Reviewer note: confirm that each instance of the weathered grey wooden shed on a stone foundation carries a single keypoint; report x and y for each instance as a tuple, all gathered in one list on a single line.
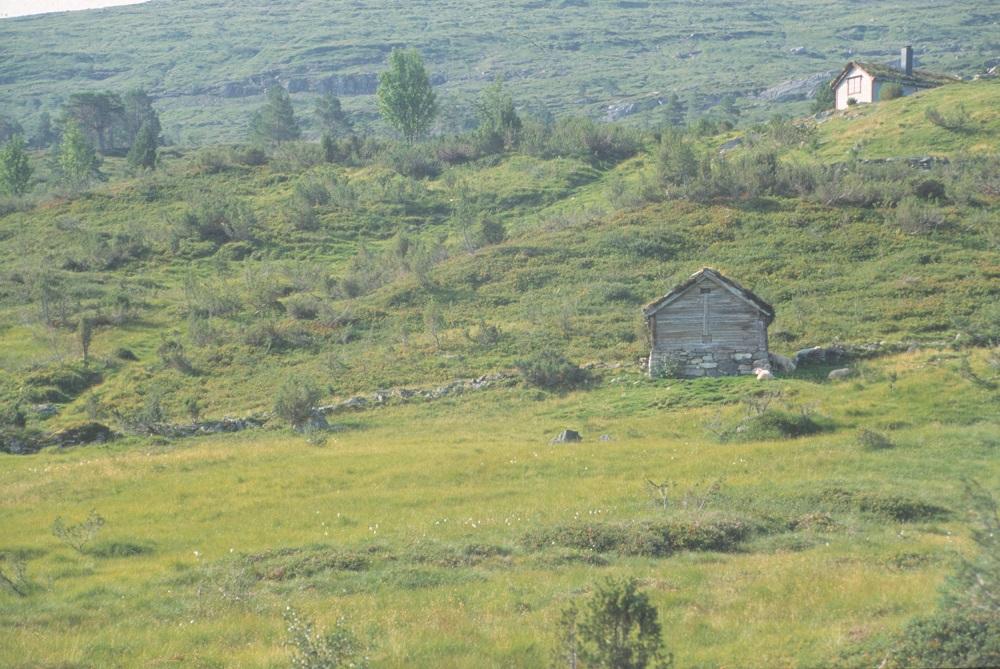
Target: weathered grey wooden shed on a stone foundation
[(709, 325)]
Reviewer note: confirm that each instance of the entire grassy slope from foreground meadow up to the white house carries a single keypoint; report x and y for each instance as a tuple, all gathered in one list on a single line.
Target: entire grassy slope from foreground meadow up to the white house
[(807, 520)]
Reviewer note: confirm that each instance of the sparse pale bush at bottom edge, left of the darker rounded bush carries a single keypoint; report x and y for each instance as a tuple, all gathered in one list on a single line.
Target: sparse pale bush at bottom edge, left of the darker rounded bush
[(314, 649)]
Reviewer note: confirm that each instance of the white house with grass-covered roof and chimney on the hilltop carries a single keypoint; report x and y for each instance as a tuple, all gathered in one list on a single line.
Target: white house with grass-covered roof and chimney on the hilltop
[(865, 82)]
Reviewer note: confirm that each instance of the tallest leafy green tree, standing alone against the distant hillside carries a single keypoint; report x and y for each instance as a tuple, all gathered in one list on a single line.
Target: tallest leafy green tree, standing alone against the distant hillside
[(405, 97)]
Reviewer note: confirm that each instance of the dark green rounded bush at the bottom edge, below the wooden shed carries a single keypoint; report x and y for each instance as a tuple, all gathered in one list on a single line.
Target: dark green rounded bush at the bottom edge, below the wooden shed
[(618, 628)]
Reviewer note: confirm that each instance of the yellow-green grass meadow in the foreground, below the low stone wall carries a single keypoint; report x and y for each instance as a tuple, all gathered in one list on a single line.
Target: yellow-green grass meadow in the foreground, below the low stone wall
[(451, 531)]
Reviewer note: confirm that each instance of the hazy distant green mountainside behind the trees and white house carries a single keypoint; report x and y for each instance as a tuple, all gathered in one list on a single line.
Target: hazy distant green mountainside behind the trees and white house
[(207, 61)]
